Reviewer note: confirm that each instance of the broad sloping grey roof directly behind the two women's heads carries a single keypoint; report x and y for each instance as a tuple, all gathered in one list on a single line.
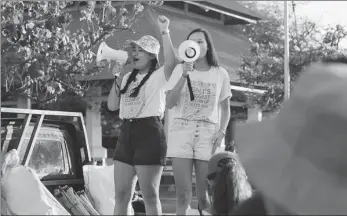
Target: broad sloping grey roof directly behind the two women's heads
[(229, 46)]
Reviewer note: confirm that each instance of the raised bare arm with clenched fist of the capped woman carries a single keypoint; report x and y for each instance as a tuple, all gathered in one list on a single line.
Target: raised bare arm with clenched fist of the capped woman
[(171, 59)]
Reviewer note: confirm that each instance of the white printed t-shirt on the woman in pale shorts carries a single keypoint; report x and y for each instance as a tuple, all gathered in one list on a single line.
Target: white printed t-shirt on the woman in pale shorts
[(209, 88)]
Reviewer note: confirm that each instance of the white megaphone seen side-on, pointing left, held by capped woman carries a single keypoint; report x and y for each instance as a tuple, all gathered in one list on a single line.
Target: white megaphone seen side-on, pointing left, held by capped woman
[(107, 53)]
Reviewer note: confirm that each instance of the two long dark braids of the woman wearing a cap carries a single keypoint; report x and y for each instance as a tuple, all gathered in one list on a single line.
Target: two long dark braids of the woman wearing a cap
[(133, 75)]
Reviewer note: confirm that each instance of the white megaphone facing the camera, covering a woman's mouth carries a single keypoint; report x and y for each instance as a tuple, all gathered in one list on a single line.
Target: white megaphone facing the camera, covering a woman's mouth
[(189, 51)]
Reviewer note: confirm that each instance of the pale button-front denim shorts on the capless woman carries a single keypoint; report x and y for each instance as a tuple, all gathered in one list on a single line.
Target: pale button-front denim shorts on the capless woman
[(191, 139)]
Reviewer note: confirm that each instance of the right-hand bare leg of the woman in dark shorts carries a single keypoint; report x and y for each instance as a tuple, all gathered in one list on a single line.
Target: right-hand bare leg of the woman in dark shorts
[(149, 180)]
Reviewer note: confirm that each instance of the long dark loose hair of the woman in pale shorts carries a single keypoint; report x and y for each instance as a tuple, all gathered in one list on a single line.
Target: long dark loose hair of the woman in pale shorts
[(211, 55)]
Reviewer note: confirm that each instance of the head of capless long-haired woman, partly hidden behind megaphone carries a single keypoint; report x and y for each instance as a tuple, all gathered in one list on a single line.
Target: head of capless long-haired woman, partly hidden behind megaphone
[(207, 50)]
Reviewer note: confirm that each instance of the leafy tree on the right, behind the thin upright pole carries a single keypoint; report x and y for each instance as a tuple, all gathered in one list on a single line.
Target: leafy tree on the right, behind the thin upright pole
[(264, 65)]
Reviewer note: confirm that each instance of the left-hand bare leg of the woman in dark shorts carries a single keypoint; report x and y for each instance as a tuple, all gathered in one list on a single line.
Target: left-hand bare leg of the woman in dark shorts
[(125, 180)]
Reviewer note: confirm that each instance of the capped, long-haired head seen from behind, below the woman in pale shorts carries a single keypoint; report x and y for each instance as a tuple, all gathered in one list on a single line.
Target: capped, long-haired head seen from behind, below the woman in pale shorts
[(227, 182)]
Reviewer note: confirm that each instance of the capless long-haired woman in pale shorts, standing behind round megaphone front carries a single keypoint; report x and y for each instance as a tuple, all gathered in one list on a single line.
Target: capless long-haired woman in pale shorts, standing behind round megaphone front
[(198, 95)]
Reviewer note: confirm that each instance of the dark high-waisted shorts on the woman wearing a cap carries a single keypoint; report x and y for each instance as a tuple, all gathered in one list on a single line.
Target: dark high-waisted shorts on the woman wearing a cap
[(142, 141)]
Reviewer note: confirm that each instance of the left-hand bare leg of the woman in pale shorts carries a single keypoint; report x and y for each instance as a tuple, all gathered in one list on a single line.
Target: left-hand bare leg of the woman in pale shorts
[(182, 169)]
